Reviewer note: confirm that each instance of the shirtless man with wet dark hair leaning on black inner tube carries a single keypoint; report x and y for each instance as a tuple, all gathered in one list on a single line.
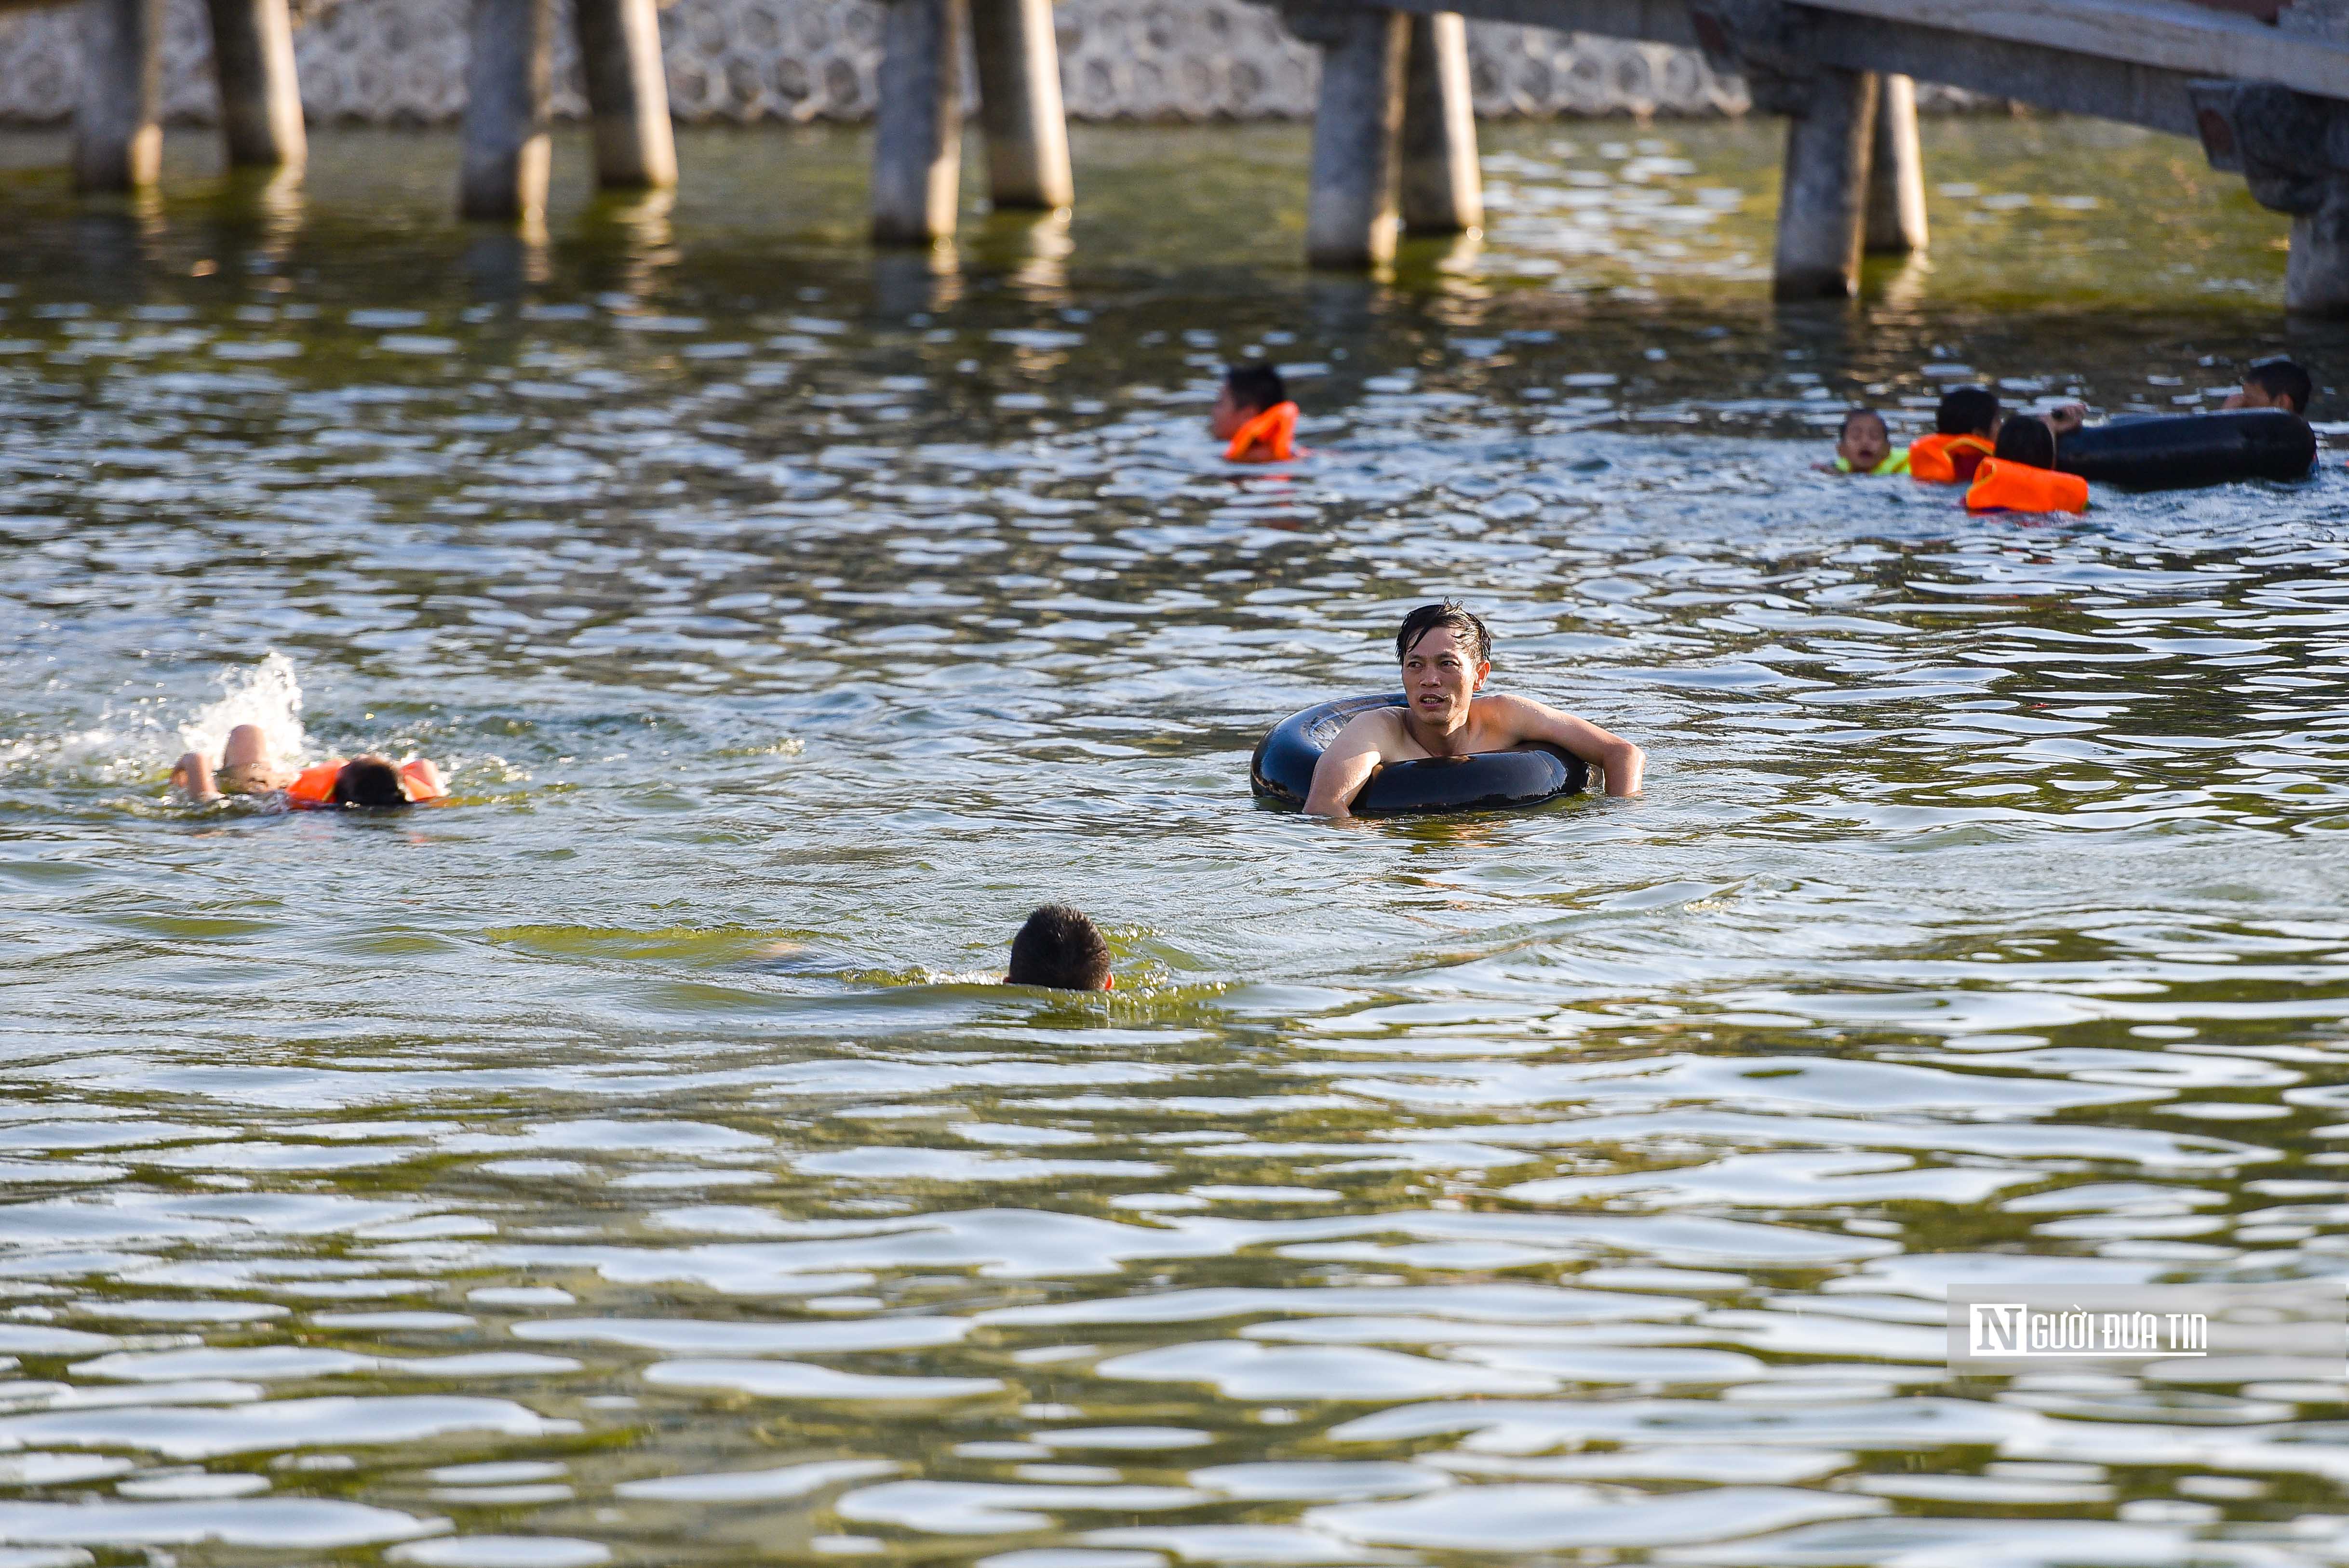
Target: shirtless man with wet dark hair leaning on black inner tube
[(1446, 658)]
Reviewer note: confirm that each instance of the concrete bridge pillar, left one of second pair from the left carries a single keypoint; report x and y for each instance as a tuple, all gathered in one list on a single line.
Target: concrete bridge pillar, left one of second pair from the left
[(509, 81)]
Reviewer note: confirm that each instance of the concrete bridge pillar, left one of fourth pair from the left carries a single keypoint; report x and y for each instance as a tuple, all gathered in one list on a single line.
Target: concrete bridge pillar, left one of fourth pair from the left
[(1352, 215)]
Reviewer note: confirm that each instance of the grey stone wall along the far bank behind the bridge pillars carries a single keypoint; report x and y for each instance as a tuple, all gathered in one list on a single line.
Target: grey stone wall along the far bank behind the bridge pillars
[(389, 62)]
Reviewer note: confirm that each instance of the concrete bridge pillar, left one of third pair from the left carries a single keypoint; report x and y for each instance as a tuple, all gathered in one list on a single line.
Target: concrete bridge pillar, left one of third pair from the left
[(920, 121)]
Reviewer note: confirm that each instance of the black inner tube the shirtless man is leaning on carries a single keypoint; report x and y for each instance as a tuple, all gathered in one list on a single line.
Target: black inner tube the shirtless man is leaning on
[(1483, 780)]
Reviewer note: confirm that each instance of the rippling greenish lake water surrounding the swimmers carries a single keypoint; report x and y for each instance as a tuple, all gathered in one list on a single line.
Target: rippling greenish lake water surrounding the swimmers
[(633, 1161)]
